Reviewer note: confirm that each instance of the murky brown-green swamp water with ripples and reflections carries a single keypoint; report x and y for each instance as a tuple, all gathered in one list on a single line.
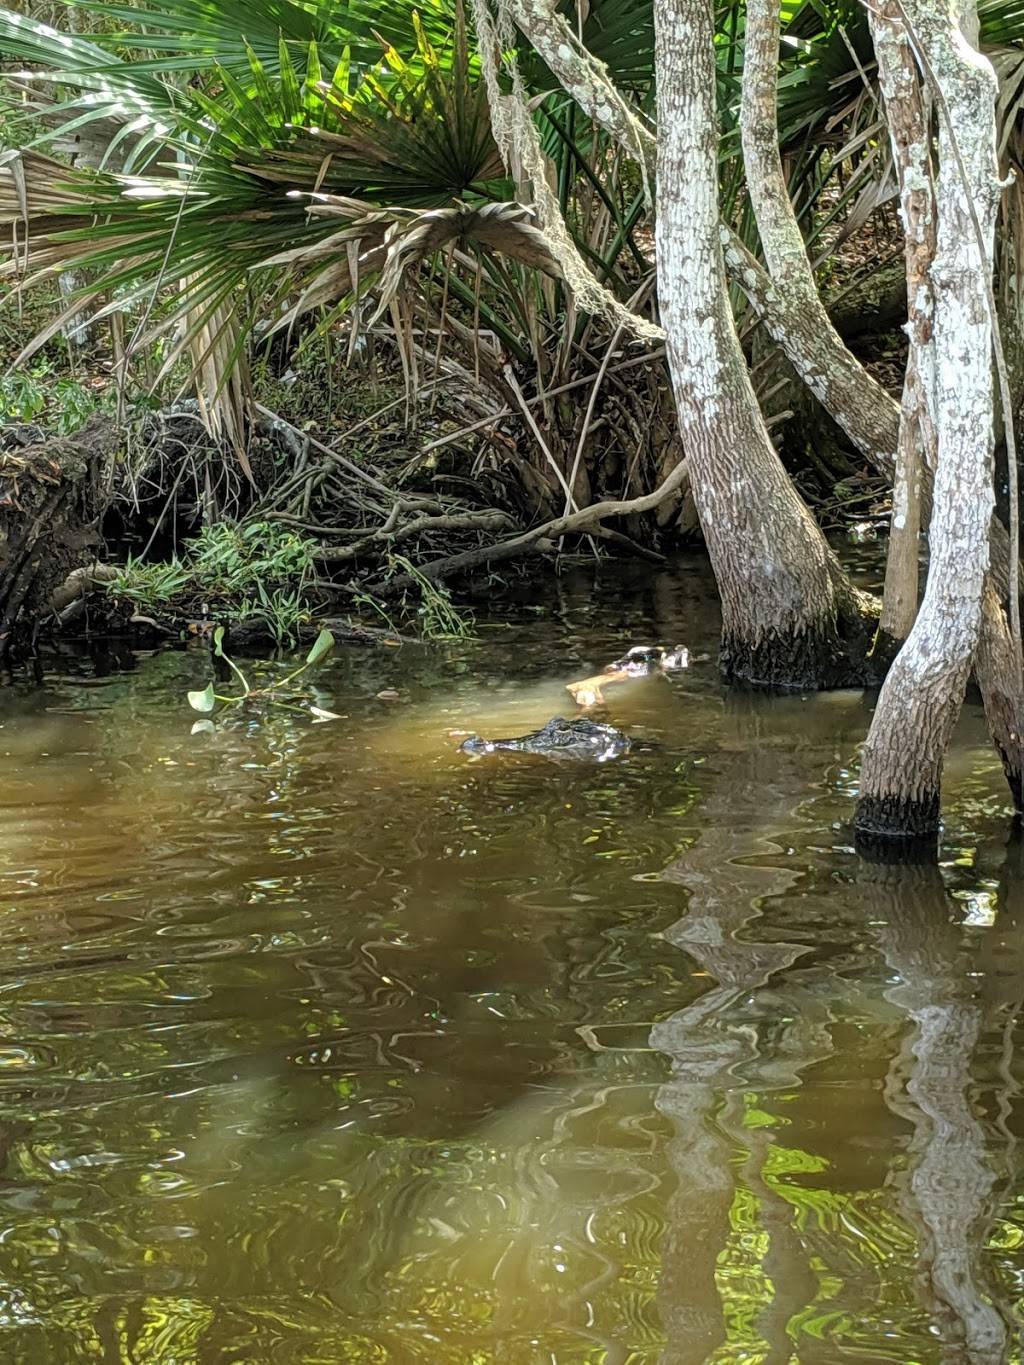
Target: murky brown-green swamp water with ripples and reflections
[(322, 1044)]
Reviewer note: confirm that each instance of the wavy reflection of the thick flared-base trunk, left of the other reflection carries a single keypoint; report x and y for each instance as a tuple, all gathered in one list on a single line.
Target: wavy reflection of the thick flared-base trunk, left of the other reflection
[(752, 806)]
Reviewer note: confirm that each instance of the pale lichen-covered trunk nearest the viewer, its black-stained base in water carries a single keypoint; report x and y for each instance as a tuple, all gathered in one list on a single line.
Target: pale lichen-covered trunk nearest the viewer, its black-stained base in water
[(924, 693)]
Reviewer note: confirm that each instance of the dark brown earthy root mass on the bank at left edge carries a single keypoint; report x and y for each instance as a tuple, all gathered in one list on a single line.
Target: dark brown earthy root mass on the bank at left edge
[(53, 496)]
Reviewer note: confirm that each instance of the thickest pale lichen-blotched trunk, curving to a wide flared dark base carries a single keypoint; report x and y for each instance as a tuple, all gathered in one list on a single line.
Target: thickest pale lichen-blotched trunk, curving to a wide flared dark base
[(790, 618)]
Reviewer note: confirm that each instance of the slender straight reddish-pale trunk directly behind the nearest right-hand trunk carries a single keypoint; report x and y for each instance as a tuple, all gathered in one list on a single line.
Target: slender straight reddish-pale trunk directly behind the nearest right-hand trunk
[(907, 118)]
